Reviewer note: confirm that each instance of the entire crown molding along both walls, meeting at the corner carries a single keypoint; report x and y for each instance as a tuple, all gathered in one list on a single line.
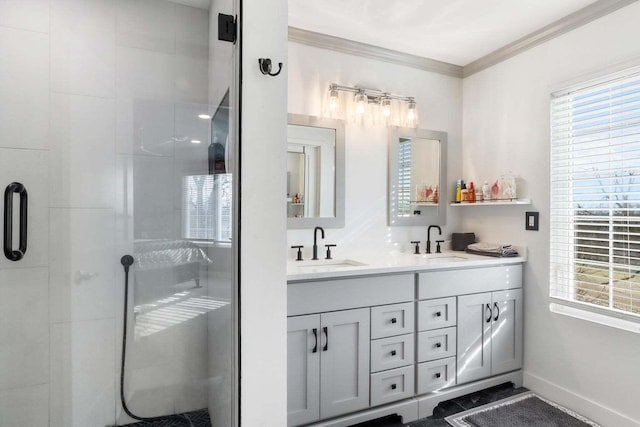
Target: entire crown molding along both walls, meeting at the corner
[(570, 22)]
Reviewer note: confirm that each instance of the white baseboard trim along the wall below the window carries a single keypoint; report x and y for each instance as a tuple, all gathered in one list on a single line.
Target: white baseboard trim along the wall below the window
[(584, 406)]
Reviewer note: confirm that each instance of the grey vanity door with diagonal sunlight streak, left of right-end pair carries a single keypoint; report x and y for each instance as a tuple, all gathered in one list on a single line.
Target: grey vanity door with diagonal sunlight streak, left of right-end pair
[(474, 333)]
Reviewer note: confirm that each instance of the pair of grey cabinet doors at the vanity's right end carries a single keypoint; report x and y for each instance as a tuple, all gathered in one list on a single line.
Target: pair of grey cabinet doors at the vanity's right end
[(489, 334)]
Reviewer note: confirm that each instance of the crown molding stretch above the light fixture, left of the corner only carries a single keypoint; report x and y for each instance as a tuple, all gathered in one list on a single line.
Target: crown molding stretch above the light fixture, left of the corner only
[(324, 41)]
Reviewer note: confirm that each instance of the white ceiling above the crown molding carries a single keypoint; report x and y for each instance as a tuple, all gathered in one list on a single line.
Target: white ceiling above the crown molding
[(454, 31)]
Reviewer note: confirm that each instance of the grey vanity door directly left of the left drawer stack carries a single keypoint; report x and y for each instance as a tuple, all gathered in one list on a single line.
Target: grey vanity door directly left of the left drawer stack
[(344, 371)]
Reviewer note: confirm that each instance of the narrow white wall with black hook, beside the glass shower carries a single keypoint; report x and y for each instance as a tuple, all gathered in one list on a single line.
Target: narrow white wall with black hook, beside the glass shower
[(263, 288)]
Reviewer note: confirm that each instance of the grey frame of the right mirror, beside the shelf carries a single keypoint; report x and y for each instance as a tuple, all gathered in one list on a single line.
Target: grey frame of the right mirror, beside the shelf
[(429, 219)]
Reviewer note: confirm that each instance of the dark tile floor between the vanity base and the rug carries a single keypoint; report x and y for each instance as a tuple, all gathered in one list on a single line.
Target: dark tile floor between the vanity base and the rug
[(450, 407)]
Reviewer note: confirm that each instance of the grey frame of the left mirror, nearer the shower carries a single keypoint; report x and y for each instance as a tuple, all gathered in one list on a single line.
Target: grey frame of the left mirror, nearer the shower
[(338, 220)]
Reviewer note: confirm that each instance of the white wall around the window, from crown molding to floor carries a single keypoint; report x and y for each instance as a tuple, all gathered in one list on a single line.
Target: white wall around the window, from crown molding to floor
[(593, 369)]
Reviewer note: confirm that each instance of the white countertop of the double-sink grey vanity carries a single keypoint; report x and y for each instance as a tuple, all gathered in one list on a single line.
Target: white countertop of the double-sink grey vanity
[(360, 265)]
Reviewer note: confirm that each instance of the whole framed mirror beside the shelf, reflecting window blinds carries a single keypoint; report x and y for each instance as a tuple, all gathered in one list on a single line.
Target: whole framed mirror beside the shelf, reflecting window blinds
[(417, 173)]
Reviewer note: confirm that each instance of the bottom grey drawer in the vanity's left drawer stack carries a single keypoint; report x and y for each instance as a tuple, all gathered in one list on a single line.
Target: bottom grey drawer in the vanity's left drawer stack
[(389, 386)]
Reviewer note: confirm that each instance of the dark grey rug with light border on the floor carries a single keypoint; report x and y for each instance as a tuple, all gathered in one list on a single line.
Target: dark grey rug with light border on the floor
[(523, 410)]
